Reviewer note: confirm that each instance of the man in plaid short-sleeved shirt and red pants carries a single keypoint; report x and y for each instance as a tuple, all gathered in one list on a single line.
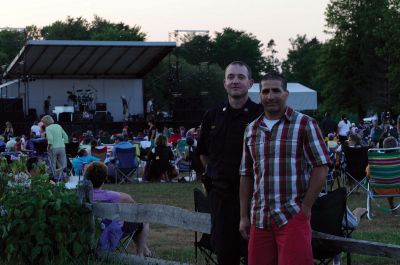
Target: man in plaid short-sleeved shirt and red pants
[(283, 169)]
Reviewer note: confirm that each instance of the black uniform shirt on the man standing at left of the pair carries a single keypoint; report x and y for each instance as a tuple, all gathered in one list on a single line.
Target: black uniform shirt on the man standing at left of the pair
[(221, 139)]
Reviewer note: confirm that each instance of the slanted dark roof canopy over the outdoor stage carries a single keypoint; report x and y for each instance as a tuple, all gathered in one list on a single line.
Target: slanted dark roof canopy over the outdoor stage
[(63, 59)]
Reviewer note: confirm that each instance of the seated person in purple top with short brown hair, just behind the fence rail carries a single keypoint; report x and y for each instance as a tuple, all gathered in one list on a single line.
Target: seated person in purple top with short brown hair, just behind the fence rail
[(96, 172)]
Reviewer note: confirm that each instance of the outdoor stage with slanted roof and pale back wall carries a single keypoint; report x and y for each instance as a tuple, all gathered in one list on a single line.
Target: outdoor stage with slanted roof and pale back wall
[(81, 73)]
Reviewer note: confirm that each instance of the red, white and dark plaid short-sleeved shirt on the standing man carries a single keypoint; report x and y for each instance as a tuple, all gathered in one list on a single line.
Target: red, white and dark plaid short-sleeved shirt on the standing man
[(280, 159)]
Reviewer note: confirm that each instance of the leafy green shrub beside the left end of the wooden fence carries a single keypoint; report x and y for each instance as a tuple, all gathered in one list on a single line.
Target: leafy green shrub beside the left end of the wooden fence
[(43, 224)]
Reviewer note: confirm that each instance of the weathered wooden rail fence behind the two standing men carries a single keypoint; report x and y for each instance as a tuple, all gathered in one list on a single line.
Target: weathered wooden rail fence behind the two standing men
[(200, 222)]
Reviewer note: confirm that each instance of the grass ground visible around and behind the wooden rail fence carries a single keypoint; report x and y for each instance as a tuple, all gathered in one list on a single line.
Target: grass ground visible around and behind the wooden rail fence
[(176, 244)]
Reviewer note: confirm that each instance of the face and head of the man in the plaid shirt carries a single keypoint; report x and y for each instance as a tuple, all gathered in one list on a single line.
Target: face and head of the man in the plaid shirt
[(273, 97)]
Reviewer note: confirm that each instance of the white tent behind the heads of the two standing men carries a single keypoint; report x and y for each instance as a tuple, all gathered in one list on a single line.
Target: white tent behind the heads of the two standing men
[(300, 97)]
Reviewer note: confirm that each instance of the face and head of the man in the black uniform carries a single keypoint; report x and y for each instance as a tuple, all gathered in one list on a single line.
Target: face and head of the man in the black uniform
[(236, 81)]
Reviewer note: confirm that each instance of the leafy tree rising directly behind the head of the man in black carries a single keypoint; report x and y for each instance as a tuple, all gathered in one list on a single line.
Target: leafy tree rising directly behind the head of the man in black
[(233, 45)]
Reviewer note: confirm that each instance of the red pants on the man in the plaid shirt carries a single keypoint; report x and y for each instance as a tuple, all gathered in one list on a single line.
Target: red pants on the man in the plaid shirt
[(288, 245)]
